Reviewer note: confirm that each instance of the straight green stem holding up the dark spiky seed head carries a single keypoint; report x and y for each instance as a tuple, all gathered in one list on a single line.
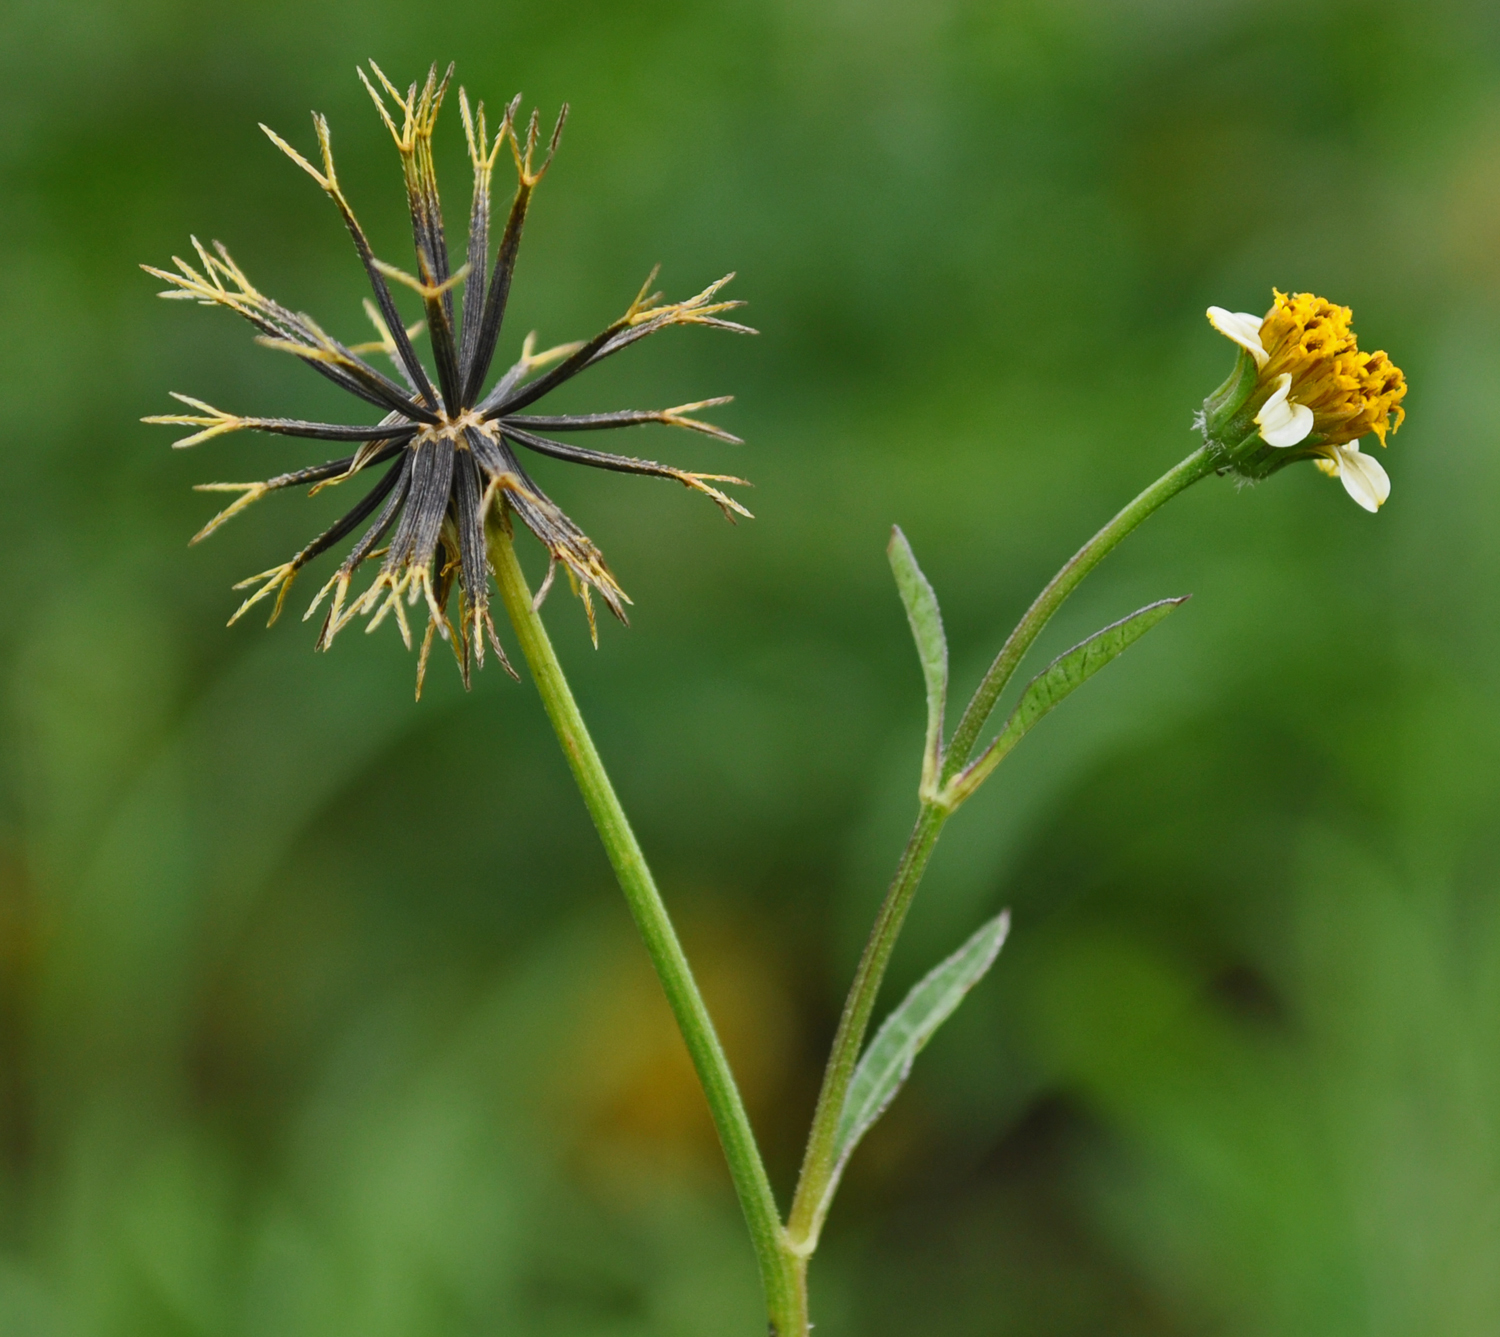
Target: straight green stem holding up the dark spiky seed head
[(781, 1269)]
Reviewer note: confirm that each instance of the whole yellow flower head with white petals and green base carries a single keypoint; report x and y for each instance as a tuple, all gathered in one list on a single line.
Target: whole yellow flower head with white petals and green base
[(1304, 391)]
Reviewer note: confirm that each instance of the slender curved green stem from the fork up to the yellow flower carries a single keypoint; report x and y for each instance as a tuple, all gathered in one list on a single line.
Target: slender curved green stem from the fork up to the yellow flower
[(811, 1204)]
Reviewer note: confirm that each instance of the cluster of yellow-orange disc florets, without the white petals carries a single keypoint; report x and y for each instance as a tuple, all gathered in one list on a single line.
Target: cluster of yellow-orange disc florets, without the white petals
[(1351, 394)]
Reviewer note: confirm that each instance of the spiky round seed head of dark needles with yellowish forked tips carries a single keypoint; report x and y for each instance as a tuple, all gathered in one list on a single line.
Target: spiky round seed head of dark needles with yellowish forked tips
[(446, 449)]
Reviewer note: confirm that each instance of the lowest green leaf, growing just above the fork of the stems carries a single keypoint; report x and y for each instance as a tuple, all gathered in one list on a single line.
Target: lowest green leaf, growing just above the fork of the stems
[(887, 1063)]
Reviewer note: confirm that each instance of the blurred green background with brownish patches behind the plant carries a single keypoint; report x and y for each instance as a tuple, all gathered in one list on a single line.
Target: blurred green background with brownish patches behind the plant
[(320, 1012)]
